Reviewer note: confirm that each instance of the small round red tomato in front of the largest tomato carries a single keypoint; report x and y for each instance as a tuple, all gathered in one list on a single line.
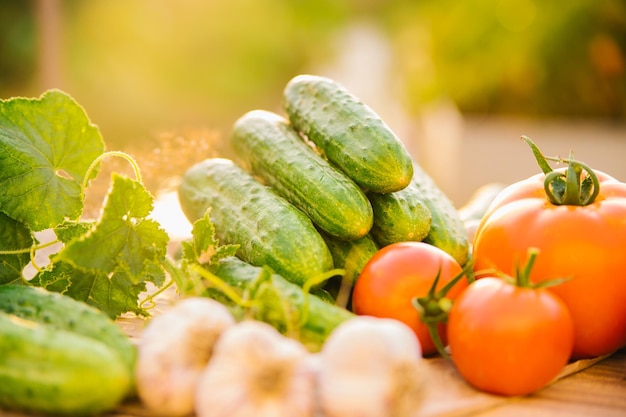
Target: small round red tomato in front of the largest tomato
[(509, 340)]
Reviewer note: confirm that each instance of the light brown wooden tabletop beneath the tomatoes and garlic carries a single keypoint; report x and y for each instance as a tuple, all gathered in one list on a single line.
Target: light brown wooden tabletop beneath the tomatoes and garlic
[(598, 390)]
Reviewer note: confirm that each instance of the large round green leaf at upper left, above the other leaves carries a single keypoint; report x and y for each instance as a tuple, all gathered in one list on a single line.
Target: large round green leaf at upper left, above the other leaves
[(46, 147)]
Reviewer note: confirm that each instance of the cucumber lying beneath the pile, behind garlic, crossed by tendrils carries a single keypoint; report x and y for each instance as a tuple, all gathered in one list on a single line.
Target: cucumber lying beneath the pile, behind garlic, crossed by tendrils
[(321, 318)]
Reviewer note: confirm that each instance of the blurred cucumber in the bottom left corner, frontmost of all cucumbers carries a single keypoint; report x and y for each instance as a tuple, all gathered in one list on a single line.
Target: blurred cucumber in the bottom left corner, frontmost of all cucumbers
[(48, 370)]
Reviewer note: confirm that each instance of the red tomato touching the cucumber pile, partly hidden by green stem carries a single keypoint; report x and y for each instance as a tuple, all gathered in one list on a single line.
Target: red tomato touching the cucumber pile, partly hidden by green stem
[(395, 275)]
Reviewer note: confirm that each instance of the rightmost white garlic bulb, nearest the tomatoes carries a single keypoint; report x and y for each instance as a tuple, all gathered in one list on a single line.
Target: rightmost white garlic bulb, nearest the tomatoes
[(371, 367)]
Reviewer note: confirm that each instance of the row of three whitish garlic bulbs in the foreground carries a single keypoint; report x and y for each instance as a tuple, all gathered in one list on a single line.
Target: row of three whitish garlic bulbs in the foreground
[(195, 358)]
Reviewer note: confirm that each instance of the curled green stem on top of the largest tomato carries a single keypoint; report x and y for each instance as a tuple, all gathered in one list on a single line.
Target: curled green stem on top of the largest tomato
[(578, 185)]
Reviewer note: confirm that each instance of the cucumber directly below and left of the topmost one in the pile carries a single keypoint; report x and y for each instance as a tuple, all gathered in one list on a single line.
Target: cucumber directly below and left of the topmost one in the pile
[(269, 148)]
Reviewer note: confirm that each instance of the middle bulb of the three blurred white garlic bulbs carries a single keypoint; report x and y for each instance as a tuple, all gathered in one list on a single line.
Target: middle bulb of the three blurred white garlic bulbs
[(256, 371)]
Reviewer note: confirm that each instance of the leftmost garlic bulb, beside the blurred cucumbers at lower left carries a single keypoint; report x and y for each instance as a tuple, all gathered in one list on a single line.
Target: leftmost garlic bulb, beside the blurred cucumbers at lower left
[(174, 349)]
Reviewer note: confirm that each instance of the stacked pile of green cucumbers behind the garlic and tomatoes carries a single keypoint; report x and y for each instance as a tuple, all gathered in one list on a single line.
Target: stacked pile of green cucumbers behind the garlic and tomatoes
[(323, 187)]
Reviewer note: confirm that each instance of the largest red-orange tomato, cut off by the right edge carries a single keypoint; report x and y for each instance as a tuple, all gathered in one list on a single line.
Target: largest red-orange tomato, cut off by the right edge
[(586, 243)]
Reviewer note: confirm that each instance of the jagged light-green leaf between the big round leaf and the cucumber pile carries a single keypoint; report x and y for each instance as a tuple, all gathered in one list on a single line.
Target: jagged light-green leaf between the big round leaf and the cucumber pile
[(123, 239)]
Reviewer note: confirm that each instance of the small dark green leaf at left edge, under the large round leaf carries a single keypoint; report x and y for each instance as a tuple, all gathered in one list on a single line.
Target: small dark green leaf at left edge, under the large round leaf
[(14, 236)]
